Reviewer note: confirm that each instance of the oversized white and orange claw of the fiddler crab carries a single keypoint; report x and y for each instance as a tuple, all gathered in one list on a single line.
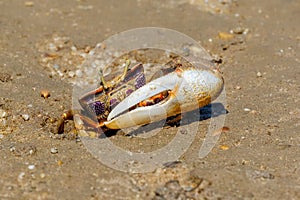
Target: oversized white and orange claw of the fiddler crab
[(187, 90)]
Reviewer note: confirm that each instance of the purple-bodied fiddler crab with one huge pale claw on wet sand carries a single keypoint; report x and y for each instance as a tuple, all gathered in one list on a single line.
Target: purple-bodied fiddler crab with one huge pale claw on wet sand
[(127, 100)]
